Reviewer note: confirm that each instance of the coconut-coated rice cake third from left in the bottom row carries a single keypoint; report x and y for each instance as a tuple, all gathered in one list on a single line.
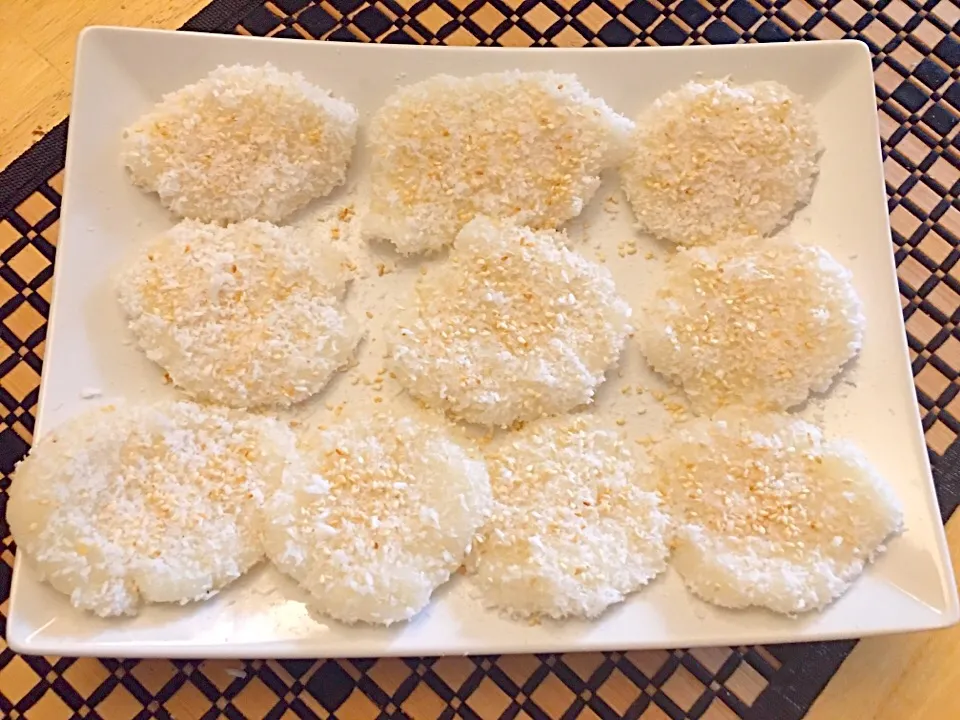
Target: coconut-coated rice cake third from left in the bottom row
[(575, 526)]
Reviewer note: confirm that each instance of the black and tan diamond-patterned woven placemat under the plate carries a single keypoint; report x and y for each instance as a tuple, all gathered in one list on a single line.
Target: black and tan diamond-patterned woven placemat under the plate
[(916, 49)]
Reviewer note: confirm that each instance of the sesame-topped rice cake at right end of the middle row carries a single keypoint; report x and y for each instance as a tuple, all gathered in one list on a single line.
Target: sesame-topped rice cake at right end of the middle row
[(747, 322)]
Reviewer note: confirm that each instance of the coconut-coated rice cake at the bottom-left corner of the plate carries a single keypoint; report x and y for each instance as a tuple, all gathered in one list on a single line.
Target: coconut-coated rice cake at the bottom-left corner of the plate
[(128, 504)]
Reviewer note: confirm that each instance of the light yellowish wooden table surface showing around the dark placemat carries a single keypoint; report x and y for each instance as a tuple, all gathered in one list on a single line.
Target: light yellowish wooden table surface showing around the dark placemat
[(900, 677)]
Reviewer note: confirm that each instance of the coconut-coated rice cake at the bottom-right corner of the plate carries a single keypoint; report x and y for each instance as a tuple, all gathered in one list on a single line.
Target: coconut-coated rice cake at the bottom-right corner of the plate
[(769, 513)]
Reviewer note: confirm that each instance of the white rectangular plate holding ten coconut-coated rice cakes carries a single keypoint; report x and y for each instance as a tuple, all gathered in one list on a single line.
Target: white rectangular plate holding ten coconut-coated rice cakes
[(120, 73)]
